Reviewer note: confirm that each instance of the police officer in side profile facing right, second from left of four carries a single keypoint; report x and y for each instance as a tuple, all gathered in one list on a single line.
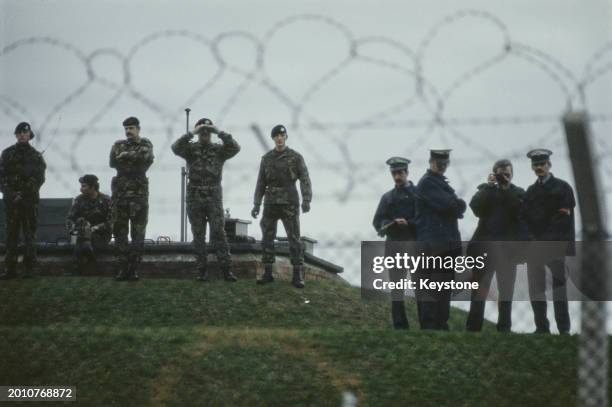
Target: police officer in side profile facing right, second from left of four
[(438, 211)]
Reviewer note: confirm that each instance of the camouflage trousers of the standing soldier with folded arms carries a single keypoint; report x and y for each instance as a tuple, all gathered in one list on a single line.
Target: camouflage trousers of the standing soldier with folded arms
[(130, 216)]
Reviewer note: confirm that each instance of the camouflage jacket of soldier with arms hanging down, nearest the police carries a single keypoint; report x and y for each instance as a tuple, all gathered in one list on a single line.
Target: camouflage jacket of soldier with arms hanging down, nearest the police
[(278, 172)]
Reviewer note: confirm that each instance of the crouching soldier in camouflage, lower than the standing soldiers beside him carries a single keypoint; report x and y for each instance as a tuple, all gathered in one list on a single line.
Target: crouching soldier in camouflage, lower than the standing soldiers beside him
[(90, 220)]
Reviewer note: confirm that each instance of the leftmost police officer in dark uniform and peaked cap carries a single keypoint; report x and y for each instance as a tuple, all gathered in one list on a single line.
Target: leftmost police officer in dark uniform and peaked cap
[(395, 219)]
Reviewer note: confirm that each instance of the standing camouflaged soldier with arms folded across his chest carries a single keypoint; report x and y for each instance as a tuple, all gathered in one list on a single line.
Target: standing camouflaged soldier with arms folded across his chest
[(131, 158)]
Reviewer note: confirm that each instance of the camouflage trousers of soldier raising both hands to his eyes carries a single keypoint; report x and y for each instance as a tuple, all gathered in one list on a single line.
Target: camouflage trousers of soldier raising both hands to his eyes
[(201, 212)]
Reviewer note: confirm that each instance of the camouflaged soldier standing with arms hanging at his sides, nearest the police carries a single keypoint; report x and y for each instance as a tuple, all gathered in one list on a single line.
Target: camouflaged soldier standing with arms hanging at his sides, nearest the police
[(279, 170)]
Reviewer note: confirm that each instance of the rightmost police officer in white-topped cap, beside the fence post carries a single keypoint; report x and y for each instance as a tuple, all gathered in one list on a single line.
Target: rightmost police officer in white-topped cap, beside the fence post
[(549, 213)]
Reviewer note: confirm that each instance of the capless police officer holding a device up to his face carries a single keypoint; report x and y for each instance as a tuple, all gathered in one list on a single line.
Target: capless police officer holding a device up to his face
[(497, 204)]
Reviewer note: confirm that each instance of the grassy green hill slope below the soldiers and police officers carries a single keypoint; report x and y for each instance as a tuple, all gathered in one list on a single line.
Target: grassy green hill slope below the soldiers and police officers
[(178, 342)]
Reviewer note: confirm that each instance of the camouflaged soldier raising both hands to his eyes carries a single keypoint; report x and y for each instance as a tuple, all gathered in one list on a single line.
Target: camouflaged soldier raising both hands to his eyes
[(204, 194)]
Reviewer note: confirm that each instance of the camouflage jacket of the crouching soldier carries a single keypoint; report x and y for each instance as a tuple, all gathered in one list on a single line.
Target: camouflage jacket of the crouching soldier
[(96, 211)]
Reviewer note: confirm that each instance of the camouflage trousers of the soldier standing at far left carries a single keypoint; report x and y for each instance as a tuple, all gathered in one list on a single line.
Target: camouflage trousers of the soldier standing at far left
[(20, 217)]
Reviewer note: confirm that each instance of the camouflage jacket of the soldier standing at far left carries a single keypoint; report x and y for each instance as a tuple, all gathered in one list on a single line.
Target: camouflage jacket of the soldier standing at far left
[(22, 171)]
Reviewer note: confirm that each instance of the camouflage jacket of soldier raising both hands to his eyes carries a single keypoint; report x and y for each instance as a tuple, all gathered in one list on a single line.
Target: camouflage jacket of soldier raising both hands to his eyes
[(205, 161)]
